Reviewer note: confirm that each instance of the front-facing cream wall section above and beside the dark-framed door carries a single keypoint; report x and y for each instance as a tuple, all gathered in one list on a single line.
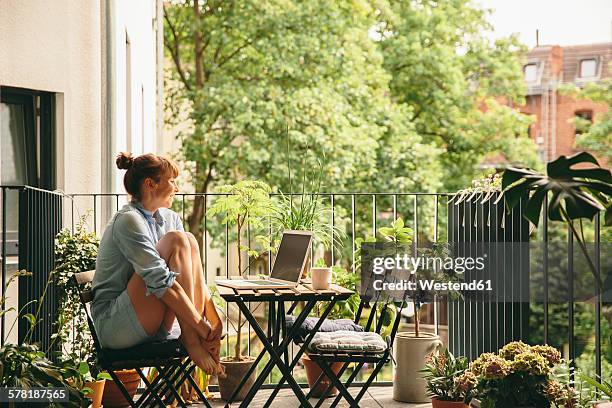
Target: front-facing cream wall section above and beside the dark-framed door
[(55, 46)]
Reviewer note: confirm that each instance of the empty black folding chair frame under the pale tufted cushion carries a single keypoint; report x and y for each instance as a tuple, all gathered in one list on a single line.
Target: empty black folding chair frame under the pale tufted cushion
[(327, 358)]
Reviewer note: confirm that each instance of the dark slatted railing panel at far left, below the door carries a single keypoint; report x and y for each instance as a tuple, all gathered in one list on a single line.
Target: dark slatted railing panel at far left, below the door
[(31, 218)]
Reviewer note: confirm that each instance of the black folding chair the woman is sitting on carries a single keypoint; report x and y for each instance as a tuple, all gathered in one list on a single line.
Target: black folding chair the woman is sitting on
[(169, 357)]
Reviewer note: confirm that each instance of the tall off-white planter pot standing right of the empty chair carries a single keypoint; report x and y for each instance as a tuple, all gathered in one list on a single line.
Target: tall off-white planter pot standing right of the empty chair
[(410, 355)]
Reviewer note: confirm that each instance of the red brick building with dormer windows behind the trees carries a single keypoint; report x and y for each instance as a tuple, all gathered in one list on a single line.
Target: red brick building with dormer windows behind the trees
[(549, 66)]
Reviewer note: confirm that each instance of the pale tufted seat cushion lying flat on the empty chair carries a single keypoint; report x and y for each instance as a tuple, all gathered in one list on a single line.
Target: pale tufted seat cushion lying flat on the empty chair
[(347, 341)]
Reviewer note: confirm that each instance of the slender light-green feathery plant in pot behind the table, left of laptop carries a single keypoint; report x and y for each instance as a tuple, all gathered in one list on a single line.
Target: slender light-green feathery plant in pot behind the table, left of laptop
[(244, 203)]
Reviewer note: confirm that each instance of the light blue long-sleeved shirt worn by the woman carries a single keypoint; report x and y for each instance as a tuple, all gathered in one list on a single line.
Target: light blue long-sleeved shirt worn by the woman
[(128, 246)]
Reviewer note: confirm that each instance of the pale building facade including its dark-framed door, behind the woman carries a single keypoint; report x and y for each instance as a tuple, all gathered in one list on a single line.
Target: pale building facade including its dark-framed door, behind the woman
[(79, 81)]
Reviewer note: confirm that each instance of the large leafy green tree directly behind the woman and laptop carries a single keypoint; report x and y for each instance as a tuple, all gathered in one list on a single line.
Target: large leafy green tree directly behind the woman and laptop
[(246, 70)]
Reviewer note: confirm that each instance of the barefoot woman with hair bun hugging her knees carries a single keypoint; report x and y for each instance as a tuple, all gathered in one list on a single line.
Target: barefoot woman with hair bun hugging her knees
[(148, 270)]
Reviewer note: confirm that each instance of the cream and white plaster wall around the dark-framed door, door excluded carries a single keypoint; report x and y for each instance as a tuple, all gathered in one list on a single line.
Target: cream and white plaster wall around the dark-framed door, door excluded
[(59, 46)]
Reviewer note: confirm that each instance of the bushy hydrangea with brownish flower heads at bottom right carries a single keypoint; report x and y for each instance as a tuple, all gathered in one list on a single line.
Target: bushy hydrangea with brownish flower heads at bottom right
[(519, 375)]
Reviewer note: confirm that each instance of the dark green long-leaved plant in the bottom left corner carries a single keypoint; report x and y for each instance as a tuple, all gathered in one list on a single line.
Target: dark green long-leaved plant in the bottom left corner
[(24, 365)]
